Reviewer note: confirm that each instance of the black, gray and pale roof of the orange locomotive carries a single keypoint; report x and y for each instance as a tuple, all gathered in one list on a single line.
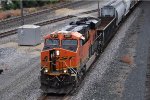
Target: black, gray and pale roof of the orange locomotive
[(78, 27)]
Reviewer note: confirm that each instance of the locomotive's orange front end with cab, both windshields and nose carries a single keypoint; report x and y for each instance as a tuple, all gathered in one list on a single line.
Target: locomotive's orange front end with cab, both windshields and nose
[(60, 57)]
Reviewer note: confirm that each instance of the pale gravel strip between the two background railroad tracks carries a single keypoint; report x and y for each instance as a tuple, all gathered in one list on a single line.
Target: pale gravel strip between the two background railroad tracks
[(71, 8)]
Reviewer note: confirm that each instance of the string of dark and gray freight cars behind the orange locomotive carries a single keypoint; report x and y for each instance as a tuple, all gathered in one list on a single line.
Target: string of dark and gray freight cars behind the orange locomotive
[(111, 17)]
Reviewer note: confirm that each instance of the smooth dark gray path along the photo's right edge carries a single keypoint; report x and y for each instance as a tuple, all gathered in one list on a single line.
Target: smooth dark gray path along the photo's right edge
[(135, 84)]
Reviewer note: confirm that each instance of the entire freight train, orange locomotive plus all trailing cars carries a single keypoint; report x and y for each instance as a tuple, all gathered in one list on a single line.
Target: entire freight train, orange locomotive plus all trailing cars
[(67, 54)]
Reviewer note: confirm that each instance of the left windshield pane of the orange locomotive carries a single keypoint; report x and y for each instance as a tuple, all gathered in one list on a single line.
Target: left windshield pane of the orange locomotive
[(51, 43)]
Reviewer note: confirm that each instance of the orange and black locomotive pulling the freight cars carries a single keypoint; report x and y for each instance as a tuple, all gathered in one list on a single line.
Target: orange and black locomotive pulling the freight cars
[(66, 53)]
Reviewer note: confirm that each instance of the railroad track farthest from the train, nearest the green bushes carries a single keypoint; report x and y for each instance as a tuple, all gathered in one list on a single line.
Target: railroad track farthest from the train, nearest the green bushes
[(34, 17)]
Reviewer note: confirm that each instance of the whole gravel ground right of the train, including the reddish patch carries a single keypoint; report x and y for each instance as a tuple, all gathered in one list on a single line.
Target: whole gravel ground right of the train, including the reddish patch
[(120, 72)]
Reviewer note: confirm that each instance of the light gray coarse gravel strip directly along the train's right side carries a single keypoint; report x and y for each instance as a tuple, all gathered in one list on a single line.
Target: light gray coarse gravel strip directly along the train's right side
[(106, 81)]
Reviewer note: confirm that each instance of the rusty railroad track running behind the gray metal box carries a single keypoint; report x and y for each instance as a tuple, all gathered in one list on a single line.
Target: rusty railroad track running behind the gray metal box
[(46, 22)]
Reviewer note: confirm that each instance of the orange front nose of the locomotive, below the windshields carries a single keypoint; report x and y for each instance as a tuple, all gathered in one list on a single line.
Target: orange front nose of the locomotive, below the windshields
[(58, 61)]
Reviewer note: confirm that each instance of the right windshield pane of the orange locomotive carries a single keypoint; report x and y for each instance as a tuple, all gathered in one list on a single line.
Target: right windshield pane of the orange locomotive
[(70, 45)]
